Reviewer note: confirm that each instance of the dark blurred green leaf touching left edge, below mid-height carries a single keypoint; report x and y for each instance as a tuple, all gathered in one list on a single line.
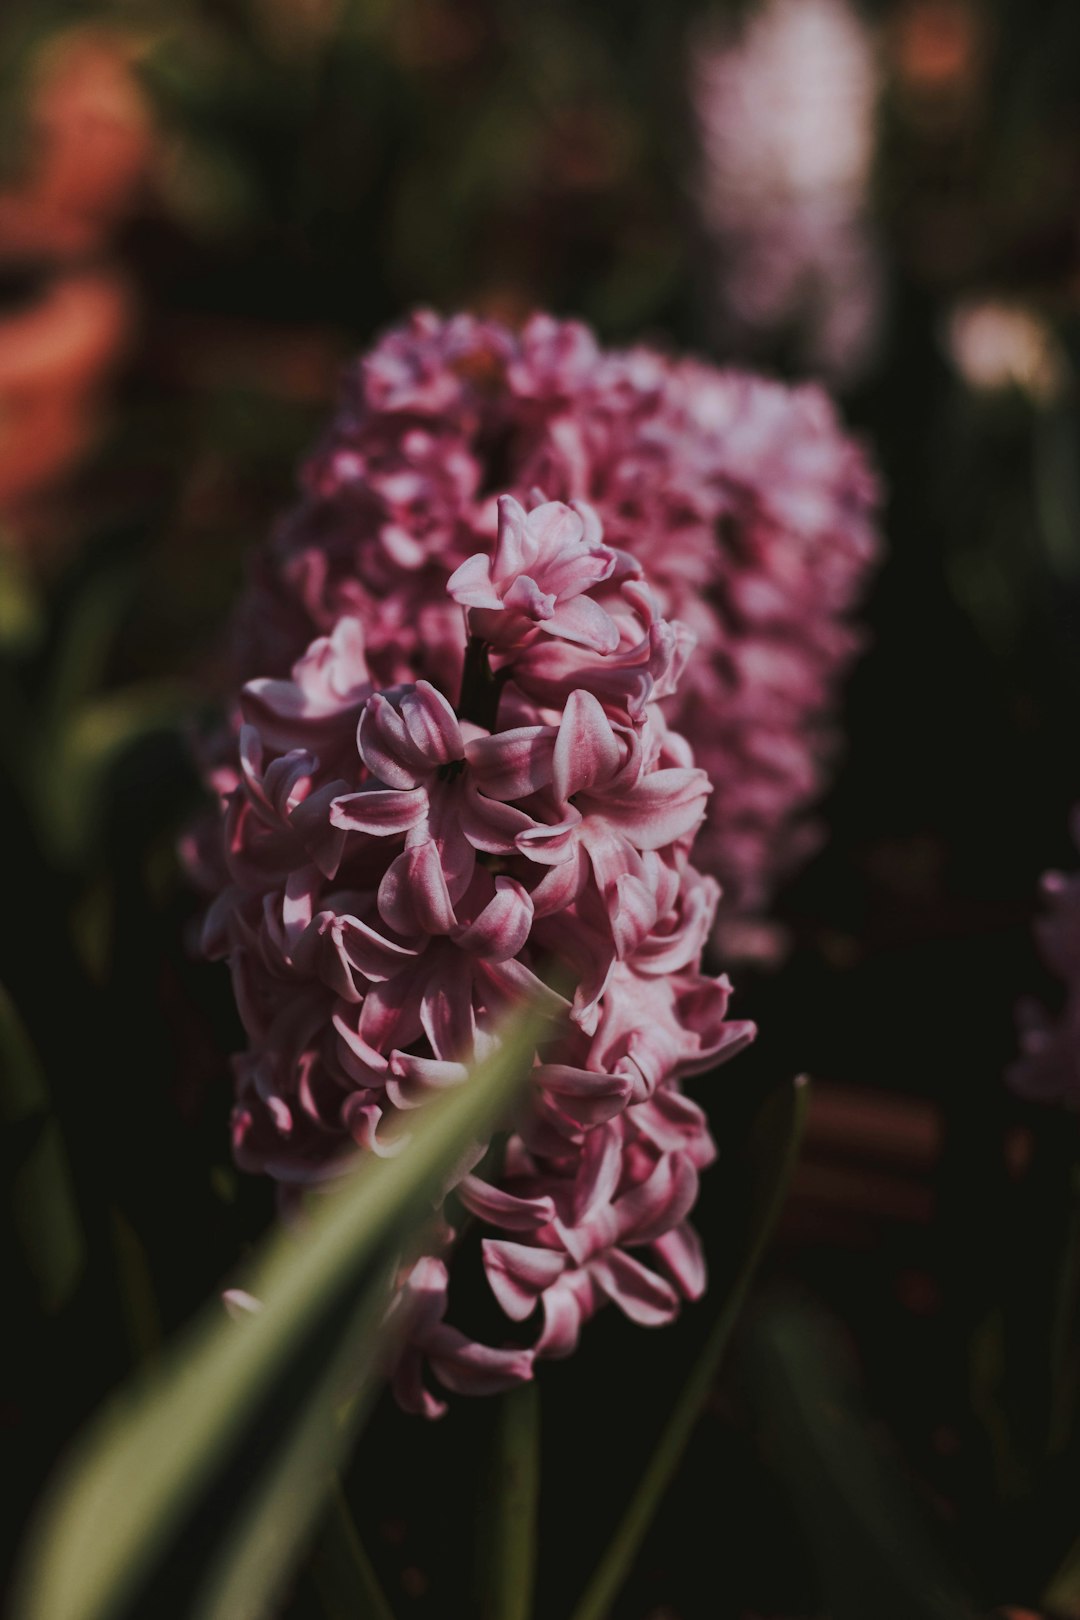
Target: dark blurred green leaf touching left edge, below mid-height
[(43, 1200)]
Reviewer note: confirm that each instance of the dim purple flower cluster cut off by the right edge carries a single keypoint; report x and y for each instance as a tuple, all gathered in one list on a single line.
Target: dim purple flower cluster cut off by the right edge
[(1048, 1068)]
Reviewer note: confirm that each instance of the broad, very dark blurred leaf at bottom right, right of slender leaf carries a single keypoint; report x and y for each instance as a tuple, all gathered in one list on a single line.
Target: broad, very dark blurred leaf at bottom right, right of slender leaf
[(874, 1554)]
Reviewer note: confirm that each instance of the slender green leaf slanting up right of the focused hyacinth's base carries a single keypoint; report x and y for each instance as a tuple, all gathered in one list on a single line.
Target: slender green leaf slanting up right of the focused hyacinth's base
[(775, 1153)]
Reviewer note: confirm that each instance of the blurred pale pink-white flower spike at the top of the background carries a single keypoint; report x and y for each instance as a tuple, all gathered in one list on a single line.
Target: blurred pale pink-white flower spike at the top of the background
[(786, 109)]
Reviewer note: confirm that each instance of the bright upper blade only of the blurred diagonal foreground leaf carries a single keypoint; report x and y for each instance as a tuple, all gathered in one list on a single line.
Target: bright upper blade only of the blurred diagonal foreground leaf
[(150, 1460)]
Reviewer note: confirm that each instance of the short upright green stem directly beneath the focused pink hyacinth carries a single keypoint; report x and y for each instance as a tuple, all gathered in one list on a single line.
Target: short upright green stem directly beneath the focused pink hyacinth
[(509, 1548)]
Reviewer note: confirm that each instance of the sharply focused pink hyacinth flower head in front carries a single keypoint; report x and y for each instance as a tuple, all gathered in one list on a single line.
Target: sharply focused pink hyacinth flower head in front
[(402, 872)]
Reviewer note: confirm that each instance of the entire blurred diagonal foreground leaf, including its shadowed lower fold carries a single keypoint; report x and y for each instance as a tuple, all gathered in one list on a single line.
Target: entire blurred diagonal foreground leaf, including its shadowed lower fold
[(182, 1449)]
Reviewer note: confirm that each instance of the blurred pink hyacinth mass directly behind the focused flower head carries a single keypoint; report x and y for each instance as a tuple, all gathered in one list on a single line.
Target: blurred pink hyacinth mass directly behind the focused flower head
[(746, 503)]
